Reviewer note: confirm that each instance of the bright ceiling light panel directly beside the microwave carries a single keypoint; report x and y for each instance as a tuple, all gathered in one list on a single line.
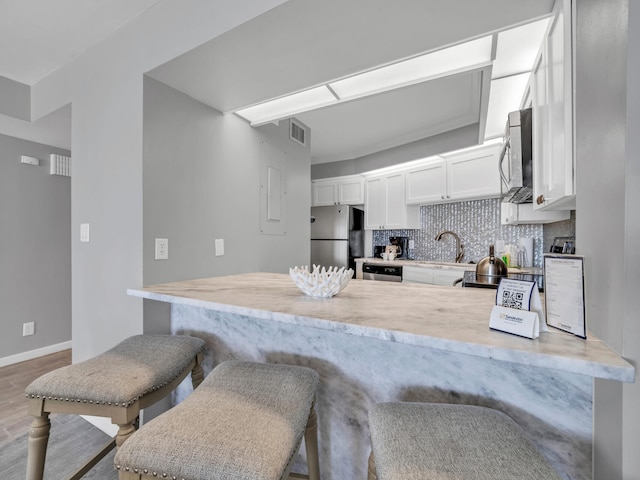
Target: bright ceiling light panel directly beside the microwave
[(506, 95)]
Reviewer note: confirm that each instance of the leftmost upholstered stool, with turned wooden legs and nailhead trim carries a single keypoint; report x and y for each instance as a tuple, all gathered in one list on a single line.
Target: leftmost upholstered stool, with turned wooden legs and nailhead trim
[(116, 384)]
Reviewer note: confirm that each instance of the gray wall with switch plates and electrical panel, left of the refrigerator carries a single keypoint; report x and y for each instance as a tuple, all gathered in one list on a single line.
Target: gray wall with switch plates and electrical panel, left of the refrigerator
[(201, 181)]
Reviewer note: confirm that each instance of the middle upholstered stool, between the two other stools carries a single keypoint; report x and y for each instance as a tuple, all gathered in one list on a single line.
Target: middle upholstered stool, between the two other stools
[(246, 421)]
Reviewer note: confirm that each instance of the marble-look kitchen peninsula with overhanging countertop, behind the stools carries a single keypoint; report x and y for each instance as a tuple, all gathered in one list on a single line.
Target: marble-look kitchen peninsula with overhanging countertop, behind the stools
[(377, 341)]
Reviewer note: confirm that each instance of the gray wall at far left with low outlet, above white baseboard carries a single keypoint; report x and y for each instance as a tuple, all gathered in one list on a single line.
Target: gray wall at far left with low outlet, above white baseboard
[(35, 249)]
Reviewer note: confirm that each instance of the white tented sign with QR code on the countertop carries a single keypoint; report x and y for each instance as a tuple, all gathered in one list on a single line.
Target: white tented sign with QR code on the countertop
[(518, 309)]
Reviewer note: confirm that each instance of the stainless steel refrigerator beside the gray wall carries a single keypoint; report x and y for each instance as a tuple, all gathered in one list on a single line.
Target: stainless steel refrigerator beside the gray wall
[(337, 235)]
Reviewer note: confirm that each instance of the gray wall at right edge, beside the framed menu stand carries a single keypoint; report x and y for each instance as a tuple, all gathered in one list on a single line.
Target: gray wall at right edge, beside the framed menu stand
[(607, 222)]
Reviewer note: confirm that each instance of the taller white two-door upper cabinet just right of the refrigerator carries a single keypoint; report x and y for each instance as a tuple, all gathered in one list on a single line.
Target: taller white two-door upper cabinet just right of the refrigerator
[(384, 203)]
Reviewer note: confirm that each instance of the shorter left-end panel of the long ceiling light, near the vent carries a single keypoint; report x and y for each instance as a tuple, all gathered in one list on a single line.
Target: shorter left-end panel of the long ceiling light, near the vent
[(288, 106)]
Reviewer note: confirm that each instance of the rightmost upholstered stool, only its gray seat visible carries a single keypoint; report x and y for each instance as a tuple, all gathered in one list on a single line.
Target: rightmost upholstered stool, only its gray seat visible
[(425, 441)]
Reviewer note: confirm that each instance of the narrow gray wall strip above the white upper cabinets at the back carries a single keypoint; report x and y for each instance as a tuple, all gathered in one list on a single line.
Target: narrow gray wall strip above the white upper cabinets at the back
[(445, 142)]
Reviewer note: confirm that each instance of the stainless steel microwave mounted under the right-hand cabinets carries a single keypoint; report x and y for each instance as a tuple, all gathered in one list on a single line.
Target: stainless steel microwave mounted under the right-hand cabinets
[(516, 158)]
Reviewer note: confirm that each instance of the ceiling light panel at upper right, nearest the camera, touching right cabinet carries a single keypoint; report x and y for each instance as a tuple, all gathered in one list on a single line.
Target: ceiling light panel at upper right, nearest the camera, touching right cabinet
[(518, 47)]
